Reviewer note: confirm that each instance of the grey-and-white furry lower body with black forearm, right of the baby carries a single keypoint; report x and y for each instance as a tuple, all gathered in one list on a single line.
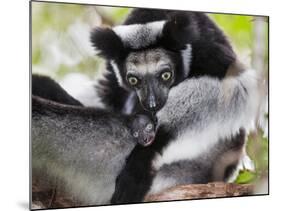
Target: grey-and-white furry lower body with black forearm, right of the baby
[(200, 116)]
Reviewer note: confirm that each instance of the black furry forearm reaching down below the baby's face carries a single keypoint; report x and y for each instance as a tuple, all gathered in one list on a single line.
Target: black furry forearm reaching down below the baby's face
[(136, 177)]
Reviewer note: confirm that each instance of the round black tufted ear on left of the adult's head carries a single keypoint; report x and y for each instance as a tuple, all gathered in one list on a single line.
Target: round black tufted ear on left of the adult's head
[(108, 44)]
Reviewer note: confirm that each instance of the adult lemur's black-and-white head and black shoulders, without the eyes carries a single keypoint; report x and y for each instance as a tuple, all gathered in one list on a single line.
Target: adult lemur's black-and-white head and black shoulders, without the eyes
[(188, 43)]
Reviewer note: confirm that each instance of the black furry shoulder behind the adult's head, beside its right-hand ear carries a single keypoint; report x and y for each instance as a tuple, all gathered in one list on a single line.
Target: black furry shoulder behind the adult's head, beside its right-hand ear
[(211, 52)]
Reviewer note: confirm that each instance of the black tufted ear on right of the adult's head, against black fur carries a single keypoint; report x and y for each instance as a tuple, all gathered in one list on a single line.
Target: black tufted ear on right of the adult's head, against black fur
[(179, 30)]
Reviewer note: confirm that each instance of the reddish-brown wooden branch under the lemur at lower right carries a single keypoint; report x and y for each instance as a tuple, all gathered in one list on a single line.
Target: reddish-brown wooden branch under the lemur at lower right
[(197, 191)]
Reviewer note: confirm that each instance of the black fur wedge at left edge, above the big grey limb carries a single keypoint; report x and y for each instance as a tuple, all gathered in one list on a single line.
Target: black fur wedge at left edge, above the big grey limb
[(45, 87)]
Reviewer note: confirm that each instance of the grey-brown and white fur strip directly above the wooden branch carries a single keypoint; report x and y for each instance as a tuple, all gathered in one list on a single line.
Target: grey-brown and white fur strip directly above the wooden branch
[(218, 164)]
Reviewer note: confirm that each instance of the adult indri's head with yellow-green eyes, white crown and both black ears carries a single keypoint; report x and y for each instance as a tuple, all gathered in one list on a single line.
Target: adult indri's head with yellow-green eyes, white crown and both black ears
[(148, 58)]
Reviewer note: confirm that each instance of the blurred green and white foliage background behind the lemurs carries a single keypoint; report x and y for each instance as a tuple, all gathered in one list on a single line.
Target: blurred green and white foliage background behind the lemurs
[(61, 47)]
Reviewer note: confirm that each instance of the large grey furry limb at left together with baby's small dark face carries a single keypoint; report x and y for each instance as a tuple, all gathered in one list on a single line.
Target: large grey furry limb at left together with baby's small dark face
[(80, 151)]
